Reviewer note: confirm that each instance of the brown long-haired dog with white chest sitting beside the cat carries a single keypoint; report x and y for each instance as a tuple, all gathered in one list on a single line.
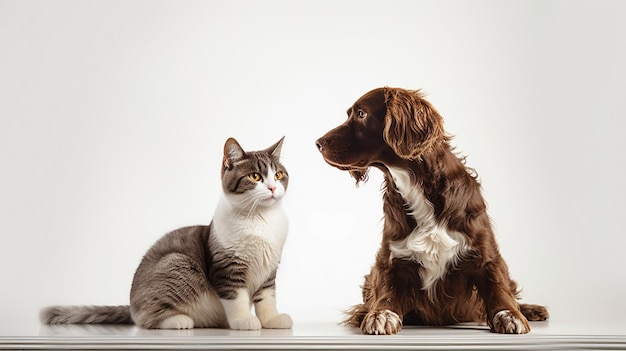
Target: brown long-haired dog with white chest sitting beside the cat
[(439, 262)]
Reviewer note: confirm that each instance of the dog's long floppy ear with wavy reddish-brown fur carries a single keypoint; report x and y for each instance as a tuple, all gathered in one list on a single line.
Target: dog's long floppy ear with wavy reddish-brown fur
[(412, 125)]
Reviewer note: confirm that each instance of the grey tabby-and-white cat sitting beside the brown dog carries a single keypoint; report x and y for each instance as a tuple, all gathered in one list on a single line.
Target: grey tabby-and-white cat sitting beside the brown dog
[(210, 276)]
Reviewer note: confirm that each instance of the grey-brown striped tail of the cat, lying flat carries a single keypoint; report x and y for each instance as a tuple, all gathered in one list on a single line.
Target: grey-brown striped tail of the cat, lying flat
[(86, 315)]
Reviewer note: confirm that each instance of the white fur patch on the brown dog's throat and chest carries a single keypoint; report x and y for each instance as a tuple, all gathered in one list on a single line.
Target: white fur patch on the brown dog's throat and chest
[(430, 244)]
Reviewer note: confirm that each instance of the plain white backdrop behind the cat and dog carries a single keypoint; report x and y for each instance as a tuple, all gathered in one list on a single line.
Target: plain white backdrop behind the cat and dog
[(114, 114)]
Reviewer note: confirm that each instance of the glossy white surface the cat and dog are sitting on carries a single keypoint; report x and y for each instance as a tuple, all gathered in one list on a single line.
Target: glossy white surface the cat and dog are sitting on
[(320, 335)]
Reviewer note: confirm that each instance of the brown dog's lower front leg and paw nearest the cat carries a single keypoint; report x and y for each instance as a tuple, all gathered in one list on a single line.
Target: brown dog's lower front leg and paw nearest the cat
[(384, 315)]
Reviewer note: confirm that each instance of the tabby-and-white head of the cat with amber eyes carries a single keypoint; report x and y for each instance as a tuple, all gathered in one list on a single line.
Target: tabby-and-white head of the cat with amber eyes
[(253, 178)]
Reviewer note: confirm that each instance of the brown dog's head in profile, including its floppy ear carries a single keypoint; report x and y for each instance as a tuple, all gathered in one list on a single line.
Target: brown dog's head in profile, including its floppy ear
[(382, 124)]
